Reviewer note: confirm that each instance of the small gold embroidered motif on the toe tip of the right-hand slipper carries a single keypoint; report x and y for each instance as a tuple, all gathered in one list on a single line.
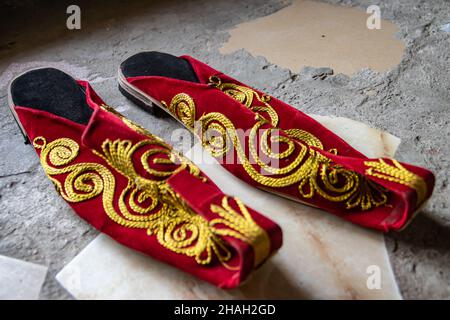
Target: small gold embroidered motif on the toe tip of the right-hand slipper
[(397, 173)]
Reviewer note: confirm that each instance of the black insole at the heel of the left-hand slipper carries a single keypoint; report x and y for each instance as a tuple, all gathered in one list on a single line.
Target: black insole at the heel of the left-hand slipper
[(54, 91)]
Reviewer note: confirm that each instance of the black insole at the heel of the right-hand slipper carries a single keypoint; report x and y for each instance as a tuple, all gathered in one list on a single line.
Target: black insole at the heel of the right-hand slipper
[(153, 63)]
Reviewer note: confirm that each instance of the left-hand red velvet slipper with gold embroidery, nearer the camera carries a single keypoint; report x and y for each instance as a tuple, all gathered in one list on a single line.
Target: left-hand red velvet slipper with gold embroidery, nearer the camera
[(133, 186)]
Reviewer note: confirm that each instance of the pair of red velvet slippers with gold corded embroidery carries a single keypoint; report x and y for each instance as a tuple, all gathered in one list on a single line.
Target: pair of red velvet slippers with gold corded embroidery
[(134, 187)]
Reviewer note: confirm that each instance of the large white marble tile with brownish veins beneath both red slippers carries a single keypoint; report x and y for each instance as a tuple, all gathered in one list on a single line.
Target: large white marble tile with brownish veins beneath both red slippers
[(322, 256)]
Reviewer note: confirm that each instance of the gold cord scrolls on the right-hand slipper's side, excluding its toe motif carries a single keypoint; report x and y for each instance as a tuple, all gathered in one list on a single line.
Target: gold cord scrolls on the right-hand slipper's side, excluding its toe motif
[(313, 172)]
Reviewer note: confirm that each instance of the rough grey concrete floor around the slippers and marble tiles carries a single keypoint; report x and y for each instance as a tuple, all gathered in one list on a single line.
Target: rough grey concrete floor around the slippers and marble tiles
[(412, 101)]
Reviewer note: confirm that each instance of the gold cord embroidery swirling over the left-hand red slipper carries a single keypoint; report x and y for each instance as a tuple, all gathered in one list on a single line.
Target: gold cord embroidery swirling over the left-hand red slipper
[(148, 203)]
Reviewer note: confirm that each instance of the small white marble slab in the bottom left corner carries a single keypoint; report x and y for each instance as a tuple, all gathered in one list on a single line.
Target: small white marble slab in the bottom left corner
[(20, 280)]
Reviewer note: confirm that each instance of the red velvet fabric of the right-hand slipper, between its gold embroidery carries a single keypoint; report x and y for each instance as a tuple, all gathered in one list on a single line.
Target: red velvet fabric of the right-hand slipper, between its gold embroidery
[(402, 200)]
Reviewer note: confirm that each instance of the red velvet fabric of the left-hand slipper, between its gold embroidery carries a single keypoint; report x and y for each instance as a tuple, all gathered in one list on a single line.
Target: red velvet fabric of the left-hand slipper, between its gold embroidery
[(198, 194)]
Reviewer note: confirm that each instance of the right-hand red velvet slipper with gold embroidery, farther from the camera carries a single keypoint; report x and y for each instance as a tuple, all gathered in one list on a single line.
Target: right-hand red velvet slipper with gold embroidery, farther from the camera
[(284, 151)]
